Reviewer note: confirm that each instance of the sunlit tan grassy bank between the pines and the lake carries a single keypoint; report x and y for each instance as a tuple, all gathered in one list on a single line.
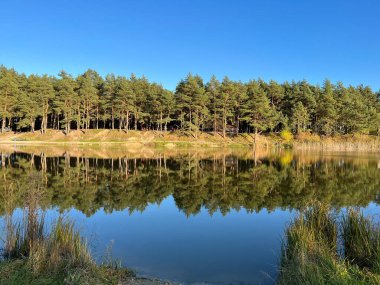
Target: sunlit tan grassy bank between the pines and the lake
[(303, 141)]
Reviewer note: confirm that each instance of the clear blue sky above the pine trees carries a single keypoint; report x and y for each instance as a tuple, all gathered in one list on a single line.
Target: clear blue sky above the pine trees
[(165, 40)]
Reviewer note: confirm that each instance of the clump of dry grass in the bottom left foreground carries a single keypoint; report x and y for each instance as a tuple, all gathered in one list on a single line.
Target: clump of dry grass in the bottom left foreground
[(58, 257)]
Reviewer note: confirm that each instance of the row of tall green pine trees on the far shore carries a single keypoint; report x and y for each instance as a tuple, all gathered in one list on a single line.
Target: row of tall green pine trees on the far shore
[(90, 101)]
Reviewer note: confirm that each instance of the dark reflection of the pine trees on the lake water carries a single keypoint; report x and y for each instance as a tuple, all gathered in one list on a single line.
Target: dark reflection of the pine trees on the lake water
[(218, 185)]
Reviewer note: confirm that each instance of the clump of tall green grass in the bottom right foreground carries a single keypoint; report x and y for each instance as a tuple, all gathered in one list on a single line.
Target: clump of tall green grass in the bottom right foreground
[(322, 248)]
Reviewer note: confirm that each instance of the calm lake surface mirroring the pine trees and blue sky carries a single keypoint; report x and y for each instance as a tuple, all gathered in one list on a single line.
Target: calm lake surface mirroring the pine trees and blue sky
[(195, 216)]
